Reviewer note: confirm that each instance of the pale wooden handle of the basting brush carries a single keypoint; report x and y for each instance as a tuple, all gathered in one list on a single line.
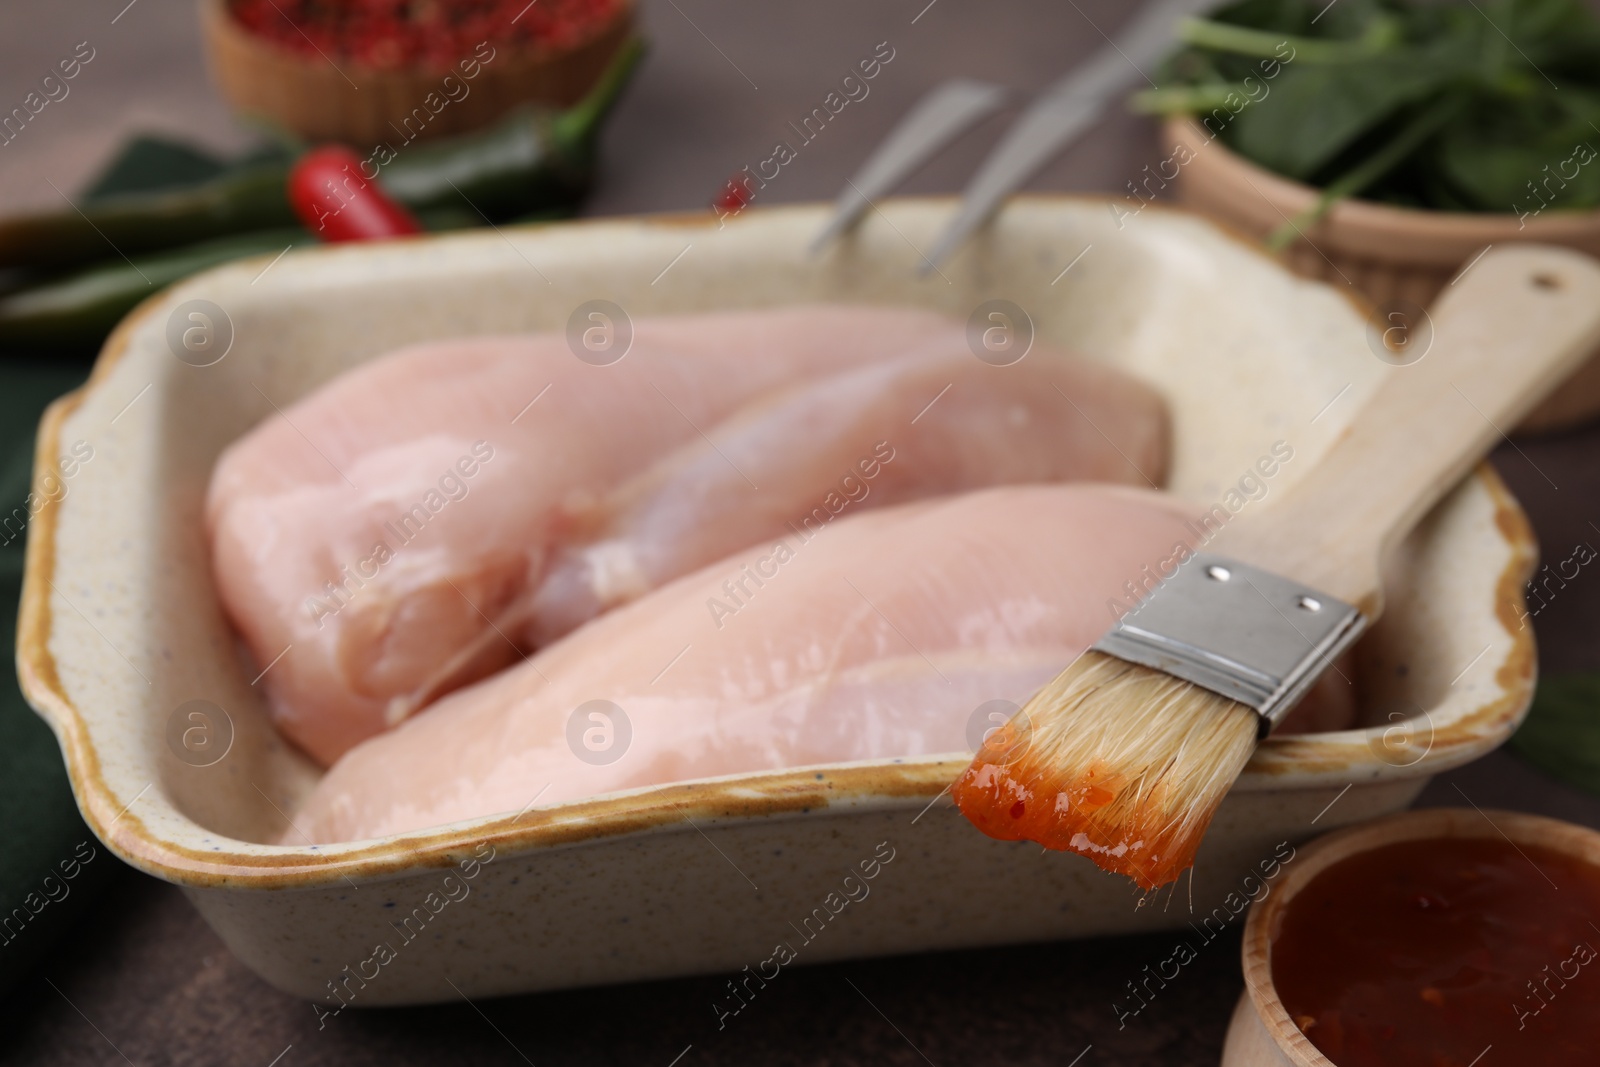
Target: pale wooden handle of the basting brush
[(1506, 334)]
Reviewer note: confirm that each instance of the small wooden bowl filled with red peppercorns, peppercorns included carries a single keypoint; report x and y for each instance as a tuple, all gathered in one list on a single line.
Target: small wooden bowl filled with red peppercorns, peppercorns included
[(401, 71)]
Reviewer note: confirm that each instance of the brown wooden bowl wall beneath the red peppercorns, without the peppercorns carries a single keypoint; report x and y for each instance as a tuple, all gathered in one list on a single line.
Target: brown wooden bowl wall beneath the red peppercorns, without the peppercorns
[(340, 100)]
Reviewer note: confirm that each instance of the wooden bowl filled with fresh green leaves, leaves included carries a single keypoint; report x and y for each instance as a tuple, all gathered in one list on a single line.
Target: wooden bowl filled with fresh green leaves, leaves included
[(1383, 148)]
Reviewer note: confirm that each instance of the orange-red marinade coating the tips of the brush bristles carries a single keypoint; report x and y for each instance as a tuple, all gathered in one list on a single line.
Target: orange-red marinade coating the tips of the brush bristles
[(1010, 804)]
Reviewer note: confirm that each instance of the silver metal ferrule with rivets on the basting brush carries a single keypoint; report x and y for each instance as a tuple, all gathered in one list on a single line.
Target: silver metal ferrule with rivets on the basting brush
[(1247, 634)]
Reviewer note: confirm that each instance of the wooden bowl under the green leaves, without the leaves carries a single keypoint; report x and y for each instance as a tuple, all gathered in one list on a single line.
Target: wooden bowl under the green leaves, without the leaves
[(1385, 254)]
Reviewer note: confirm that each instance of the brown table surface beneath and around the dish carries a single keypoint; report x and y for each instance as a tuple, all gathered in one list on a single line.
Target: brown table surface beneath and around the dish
[(148, 983)]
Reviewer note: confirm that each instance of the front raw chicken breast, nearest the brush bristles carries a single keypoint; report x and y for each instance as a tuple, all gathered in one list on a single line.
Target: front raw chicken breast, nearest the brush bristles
[(879, 637)]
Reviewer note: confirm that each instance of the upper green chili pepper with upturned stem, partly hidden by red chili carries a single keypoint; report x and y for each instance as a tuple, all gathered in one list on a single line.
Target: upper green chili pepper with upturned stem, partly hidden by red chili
[(529, 162)]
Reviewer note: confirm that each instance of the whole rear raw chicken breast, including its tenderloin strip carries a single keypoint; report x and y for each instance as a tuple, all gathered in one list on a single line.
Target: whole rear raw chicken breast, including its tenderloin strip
[(396, 532)]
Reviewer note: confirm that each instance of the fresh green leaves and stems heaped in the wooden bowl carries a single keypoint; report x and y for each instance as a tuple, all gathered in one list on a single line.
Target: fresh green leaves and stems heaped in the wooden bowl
[(1454, 106)]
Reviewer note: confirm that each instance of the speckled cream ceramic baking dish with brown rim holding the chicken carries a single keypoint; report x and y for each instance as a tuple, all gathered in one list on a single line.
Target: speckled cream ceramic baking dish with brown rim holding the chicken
[(121, 626)]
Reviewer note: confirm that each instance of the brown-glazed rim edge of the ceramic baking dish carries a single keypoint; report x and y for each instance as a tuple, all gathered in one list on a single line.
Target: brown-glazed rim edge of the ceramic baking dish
[(770, 794)]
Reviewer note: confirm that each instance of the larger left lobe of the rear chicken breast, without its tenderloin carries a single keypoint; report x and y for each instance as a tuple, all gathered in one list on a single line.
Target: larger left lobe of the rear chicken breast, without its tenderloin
[(377, 530)]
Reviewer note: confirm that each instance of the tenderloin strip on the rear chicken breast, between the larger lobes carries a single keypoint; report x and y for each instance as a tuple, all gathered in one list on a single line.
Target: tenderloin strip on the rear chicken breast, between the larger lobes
[(930, 423)]
